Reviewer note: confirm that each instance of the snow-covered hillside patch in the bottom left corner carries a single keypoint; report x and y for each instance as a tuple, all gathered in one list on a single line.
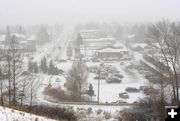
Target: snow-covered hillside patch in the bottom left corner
[(7, 114)]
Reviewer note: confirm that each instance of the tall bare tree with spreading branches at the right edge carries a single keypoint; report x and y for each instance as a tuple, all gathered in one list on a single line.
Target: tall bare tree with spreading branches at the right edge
[(166, 36)]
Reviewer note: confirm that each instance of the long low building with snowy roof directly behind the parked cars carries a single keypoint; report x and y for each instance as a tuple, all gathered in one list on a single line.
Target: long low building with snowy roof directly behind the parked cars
[(113, 53)]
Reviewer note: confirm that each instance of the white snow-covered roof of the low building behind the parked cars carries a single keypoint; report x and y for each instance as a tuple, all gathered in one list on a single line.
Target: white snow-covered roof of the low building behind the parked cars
[(111, 49)]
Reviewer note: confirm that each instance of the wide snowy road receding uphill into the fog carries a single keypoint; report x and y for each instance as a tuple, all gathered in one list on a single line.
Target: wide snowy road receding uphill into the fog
[(56, 49)]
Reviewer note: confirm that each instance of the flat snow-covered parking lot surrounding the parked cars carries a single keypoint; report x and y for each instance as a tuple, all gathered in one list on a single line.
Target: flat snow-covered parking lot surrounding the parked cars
[(110, 92)]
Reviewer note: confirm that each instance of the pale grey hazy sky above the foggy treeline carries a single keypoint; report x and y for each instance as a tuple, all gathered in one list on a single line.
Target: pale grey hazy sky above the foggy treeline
[(57, 11)]
